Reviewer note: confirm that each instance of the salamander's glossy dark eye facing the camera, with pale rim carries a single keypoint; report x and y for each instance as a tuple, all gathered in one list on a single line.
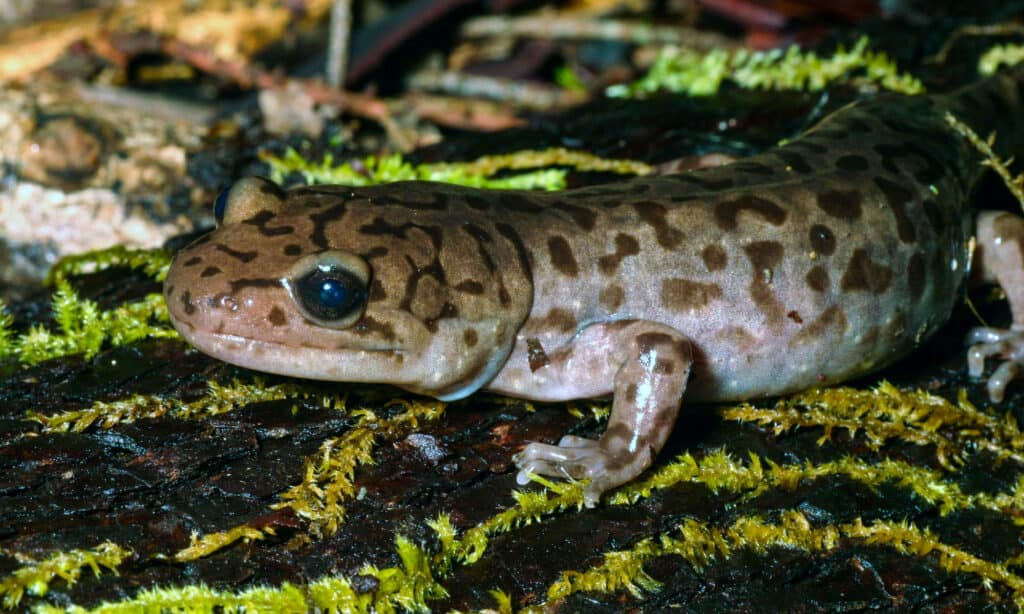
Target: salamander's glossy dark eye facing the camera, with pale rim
[(330, 288)]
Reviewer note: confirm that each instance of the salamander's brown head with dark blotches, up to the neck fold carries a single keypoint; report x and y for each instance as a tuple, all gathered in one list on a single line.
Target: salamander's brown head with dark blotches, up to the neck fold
[(312, 285)]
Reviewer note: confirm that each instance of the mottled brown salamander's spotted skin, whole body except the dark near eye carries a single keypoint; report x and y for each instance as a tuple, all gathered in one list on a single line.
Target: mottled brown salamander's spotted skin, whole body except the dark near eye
[(809, 265)]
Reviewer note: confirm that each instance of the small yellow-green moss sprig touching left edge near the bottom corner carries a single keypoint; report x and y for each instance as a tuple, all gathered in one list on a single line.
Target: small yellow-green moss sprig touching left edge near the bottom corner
[(35, 578)]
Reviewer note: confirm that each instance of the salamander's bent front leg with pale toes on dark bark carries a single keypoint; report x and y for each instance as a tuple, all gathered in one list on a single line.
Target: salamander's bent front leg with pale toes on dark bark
[(649, 365)]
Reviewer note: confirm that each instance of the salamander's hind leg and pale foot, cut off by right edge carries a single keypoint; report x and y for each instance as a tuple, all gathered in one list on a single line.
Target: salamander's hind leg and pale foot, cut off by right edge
[(1000, 259)]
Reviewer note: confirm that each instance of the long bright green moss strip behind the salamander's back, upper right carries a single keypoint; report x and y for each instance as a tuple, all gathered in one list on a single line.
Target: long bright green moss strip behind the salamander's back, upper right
[(703, 74)]
